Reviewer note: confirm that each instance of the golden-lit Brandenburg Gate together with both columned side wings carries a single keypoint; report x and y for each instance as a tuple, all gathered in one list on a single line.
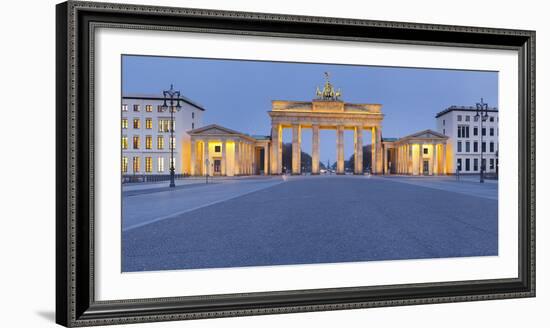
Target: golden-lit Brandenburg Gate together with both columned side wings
[(217, 150)]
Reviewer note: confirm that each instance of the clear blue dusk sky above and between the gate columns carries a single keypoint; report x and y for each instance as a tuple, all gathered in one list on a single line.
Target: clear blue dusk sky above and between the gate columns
[(237, 94)]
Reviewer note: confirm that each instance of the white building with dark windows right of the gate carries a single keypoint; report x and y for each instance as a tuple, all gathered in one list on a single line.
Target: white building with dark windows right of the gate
[(469, 136)]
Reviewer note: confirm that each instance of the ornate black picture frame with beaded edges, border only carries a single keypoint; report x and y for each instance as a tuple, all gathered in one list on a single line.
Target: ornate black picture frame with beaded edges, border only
[(75, 303)]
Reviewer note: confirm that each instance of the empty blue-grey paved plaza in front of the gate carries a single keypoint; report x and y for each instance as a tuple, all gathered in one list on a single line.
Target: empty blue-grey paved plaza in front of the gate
[(307, 219)]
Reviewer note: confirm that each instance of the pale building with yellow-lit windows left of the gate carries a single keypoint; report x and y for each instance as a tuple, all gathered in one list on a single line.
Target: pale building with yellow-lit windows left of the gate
[(146, 135)]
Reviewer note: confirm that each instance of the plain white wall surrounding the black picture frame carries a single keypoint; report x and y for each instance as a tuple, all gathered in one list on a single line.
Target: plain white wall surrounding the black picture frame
[(27, 205)]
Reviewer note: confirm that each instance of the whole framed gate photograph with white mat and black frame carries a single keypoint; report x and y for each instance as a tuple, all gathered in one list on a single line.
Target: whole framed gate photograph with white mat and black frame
[(214, 163)]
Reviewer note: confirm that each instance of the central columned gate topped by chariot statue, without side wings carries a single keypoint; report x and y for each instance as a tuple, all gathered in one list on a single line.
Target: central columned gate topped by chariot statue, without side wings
[(327, 111)]
